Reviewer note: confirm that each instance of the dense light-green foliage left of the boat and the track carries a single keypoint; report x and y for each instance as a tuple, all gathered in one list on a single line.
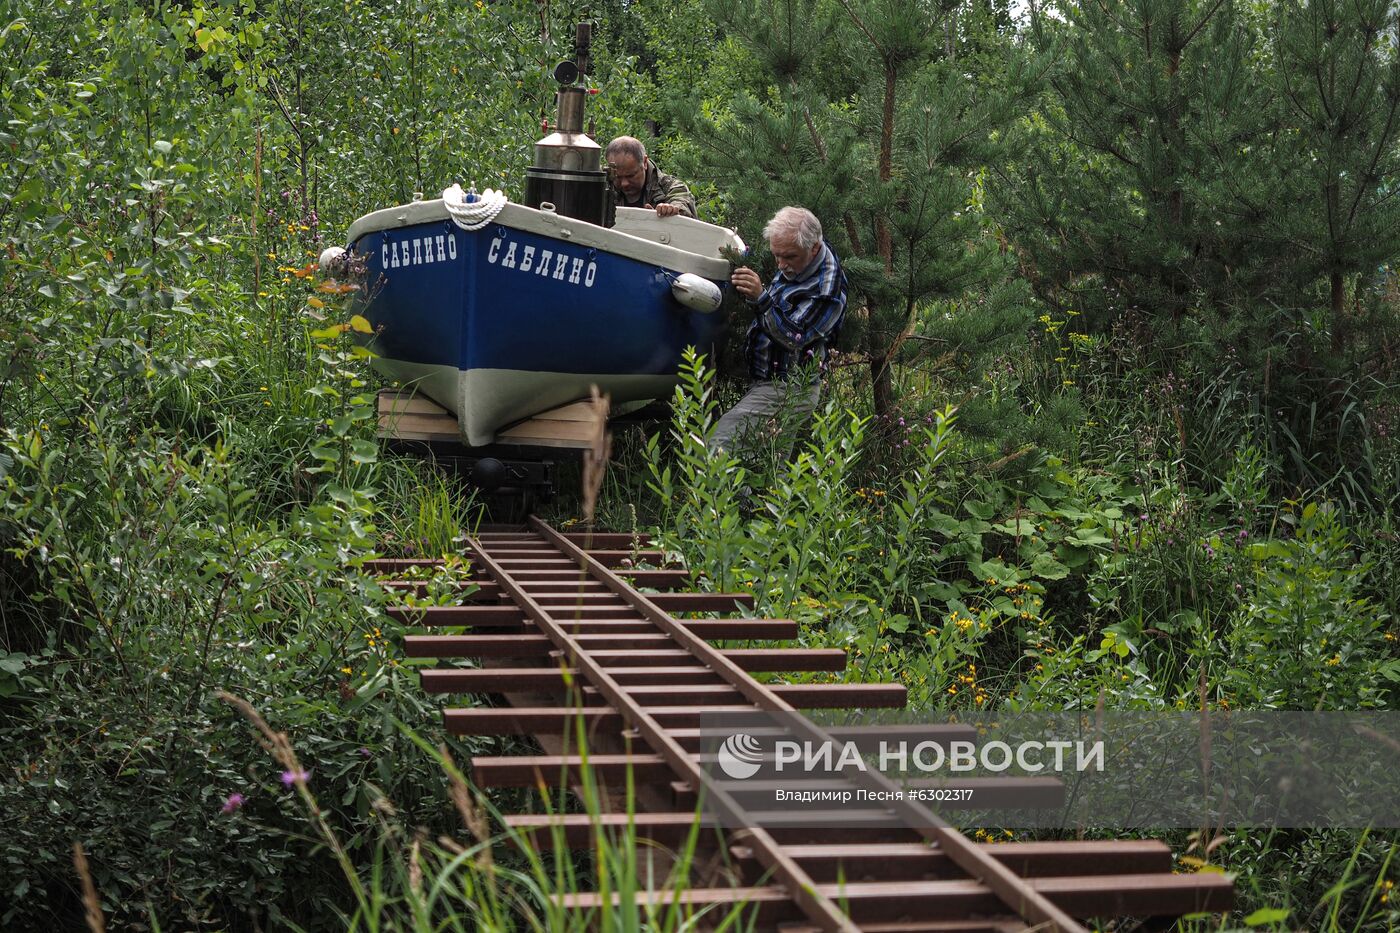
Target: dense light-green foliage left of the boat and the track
[(190, 471)]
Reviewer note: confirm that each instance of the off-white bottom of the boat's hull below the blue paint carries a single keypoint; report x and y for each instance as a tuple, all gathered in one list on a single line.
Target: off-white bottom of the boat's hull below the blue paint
[(486, 401)]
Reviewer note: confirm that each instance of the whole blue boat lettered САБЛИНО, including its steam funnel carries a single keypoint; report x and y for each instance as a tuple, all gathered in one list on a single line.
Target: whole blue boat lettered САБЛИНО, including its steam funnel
[(500, 312)]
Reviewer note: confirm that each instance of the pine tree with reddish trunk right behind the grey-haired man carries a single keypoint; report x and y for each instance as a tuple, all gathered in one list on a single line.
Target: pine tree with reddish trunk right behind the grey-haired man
[(860, 111)]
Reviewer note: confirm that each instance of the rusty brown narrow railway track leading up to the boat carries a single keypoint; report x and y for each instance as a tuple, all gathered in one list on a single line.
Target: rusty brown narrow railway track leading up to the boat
[(561, 630)]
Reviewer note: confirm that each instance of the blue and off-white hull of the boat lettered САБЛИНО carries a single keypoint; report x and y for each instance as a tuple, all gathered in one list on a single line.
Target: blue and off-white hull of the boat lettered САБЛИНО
[(516, 319)]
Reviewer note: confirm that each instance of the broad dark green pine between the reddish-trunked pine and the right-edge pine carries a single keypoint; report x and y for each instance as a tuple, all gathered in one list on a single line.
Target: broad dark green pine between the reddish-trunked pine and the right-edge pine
[(1140, 180)]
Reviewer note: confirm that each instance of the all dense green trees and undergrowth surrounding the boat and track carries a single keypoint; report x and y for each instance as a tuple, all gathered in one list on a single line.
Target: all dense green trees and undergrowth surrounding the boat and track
[(1118, 418)]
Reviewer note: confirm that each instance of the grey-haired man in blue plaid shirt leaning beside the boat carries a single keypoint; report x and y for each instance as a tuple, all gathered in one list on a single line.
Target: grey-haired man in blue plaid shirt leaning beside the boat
[(796, 320)]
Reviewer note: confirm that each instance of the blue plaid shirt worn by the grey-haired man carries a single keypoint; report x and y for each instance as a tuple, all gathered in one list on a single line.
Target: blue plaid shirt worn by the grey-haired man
[(796, 320)]
